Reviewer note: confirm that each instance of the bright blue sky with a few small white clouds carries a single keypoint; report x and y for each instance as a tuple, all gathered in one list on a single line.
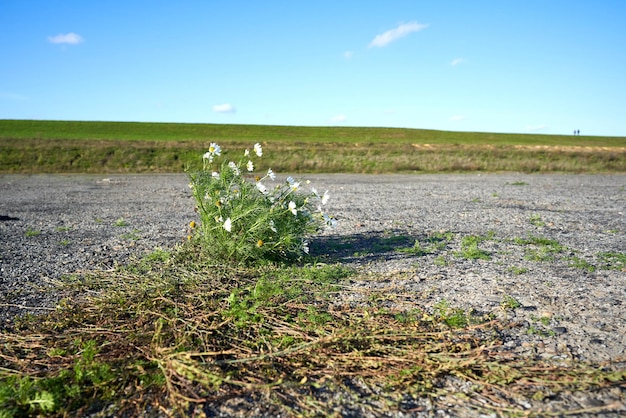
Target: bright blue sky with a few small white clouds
[(545, 66)]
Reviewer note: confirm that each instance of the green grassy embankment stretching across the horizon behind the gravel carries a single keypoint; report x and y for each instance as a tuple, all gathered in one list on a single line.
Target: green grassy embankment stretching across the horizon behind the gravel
[(31, 146)]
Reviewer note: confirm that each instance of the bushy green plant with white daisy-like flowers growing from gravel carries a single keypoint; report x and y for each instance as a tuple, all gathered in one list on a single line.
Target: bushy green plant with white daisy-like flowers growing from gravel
[(246, 217)]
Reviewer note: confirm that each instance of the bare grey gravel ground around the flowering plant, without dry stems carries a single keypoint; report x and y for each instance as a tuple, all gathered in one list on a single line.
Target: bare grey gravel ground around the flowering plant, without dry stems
[(51, 225)]
